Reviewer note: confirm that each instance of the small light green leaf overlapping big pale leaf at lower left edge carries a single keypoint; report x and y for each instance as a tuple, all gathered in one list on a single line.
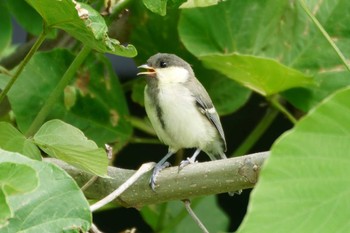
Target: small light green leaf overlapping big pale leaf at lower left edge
[(14, 179)]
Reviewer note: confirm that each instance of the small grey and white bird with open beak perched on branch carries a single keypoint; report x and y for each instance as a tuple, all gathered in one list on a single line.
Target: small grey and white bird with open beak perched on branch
[(180, 110)]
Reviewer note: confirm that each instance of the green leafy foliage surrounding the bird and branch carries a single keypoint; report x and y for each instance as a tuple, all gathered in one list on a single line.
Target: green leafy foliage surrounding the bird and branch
[(64, 100)]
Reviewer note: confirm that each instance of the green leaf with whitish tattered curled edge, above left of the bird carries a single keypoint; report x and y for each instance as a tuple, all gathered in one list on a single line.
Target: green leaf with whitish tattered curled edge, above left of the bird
[(82, 22)]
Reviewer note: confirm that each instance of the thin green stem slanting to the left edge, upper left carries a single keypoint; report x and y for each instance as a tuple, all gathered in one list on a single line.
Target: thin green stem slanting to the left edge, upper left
[(21, 66)]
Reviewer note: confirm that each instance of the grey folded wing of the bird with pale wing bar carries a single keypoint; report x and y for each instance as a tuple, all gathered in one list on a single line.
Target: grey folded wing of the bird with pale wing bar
[(206, 107)]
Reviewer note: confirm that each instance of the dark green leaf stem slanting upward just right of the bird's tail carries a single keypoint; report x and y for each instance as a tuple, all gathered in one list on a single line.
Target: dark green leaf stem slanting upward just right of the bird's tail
[(258, 131)]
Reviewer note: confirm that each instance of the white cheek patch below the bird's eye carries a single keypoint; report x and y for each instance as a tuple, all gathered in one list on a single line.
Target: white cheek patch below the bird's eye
[(172, 75)]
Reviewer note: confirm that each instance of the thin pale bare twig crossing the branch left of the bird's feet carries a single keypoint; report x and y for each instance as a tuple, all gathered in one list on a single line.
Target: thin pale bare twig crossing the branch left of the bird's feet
[(142, 170)]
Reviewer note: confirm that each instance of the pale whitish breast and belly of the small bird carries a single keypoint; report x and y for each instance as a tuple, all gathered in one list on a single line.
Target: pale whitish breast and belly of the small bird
[(185, 126)]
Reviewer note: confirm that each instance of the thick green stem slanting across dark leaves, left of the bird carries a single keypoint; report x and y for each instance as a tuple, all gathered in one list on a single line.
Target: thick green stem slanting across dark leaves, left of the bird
[(57, 92)]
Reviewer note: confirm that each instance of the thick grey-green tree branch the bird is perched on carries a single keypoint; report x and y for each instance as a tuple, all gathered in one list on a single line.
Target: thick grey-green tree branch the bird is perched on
[(197, 179)]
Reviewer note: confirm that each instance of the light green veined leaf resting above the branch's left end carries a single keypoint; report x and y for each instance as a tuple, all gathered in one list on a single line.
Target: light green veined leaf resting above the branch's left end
[(65, 142)]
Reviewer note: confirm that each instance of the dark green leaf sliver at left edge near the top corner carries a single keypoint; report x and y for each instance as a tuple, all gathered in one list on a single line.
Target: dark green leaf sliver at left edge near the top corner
[(6, 27)]
